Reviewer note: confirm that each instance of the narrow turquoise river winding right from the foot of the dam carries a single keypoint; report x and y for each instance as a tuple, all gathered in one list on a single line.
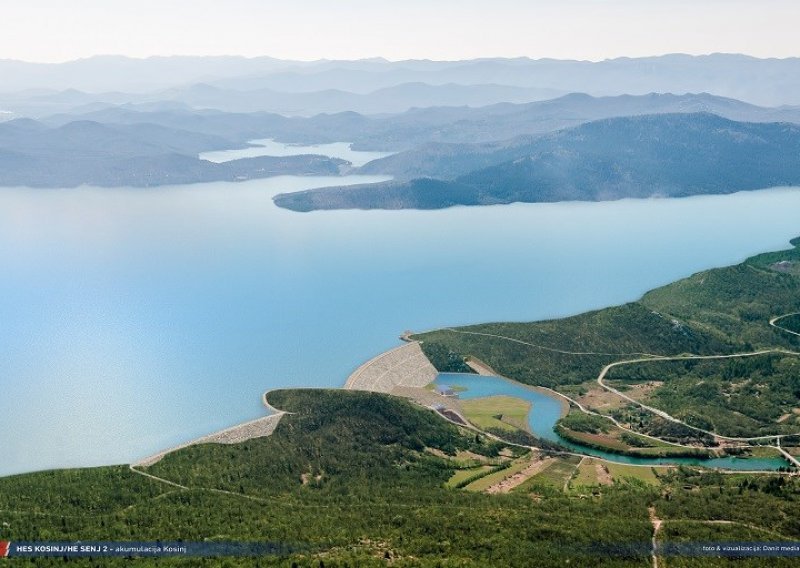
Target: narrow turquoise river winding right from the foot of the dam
[(546, 410)]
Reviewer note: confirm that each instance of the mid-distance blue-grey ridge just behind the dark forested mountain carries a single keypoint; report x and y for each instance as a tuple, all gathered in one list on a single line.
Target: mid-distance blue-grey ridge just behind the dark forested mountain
[(411, 129)]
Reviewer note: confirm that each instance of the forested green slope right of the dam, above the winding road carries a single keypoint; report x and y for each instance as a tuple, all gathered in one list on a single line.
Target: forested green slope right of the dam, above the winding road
[(719, 311)]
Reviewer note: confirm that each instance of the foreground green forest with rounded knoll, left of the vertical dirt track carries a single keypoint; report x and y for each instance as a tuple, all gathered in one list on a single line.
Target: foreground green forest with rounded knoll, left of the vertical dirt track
[(380, 495)]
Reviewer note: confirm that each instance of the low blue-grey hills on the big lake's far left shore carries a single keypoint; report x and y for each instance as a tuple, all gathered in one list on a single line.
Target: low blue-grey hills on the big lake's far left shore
[(89, 153)]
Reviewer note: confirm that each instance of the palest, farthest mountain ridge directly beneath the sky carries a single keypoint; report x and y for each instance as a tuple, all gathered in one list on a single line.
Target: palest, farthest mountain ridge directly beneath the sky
[(770, 82)]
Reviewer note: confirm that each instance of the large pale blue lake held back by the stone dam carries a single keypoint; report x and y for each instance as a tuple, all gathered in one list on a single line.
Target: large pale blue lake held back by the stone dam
[(134, 319)]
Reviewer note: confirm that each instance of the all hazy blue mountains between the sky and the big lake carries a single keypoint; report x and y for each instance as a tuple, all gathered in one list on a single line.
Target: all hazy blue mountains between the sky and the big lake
[(464, 132)]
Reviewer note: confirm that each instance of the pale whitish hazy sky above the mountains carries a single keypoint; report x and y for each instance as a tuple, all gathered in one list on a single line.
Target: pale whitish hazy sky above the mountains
[(58, 30)]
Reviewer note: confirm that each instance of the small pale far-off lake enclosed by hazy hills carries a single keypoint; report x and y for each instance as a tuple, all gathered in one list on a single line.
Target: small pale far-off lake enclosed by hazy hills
[(268, 147)]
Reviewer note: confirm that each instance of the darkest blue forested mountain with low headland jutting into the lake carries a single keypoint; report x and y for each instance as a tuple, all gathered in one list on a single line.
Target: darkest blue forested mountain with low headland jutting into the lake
[(672, 155)]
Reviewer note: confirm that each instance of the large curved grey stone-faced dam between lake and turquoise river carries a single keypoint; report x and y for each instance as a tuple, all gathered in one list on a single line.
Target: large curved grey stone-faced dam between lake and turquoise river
[(404, 366)]
